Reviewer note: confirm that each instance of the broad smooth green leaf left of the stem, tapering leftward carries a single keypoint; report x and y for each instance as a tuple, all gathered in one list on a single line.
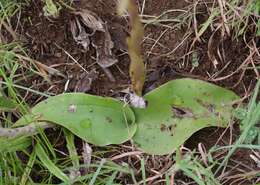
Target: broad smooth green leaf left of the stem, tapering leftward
[(97, 120)]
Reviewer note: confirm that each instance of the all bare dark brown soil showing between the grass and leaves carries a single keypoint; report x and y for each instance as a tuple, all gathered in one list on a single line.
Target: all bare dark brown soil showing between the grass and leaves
[(49, 40)]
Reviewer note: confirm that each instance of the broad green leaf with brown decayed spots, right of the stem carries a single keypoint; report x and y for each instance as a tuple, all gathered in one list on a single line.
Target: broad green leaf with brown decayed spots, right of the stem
[(178, 109)]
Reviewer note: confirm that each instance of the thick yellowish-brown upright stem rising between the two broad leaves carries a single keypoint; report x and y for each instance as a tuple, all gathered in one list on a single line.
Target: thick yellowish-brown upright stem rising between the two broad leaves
[(137, 68)]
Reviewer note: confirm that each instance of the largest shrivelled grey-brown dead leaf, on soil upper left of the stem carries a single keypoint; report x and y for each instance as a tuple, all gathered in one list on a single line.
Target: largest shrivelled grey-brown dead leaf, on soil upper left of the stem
[(87, 28)]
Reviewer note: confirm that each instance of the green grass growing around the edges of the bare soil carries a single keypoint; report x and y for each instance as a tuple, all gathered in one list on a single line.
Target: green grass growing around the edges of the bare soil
[(55, 166)]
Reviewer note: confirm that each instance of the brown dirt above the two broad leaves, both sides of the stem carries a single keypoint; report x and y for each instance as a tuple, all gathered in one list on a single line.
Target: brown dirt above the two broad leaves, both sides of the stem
[(46, 40)]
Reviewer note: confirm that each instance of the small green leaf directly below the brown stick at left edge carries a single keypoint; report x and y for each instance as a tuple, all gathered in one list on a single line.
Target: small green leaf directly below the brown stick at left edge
[(14, 144)]
